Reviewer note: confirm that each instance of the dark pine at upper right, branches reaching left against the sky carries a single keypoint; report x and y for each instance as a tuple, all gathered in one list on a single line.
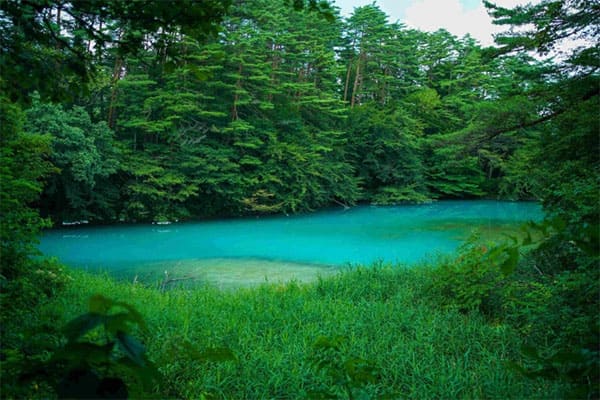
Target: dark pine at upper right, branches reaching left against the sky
[(566, 103)]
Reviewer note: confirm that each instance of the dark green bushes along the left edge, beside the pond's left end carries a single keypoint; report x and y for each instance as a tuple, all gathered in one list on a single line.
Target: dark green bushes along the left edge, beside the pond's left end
[(25, 282)]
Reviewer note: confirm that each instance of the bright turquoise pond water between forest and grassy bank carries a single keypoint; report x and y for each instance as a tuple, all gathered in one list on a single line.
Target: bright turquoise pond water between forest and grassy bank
[(309, 243)]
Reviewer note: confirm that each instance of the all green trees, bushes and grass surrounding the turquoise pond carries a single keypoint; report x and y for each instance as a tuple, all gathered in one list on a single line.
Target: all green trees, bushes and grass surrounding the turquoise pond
[(121, 111)]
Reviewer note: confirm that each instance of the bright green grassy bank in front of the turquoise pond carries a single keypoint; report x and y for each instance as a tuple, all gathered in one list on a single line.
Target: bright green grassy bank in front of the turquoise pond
[(379, 321)]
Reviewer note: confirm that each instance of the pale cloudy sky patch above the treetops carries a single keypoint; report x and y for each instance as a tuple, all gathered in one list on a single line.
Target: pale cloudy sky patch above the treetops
[(458, 17)]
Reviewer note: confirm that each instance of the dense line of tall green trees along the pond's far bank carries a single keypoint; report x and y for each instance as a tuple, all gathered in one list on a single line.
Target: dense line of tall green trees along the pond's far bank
[(279, 111)]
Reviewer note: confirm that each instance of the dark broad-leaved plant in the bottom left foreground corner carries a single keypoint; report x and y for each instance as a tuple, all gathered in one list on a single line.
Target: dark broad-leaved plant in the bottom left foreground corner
[(100, 357)]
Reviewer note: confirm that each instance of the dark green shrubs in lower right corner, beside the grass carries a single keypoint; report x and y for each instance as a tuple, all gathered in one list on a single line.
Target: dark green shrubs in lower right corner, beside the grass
[(562, 310)]
